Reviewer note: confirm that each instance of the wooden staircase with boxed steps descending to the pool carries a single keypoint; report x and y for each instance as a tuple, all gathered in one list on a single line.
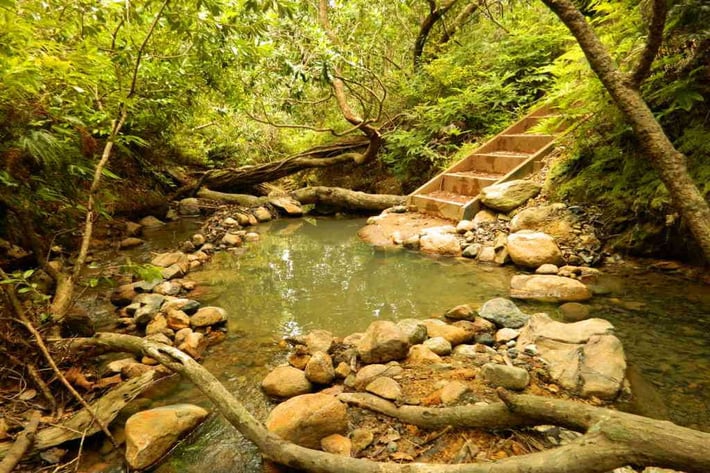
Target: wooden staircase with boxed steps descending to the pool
[(512, 154)]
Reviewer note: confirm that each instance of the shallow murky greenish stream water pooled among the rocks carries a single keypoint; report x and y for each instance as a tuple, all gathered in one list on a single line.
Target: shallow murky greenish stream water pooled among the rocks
[(316, 273)]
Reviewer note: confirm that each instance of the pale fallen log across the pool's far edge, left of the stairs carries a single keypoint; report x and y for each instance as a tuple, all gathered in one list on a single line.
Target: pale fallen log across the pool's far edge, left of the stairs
[(336, 197)]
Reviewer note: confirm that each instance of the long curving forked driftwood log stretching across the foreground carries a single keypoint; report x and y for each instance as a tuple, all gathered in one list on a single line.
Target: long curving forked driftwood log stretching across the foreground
[(612, 439)]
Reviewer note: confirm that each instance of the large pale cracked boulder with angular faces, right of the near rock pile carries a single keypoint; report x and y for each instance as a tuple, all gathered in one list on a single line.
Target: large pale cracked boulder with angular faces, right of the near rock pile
[(584, 357)]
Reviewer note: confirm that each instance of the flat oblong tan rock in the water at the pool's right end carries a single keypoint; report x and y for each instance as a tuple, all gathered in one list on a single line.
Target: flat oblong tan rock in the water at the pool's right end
[(547, 288)]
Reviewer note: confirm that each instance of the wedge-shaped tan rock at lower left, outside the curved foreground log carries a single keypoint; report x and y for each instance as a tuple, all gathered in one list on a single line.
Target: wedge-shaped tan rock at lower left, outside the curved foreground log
[(150, 434)]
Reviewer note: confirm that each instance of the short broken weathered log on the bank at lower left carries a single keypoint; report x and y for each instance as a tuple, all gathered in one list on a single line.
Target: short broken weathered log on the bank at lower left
[(83, 421)]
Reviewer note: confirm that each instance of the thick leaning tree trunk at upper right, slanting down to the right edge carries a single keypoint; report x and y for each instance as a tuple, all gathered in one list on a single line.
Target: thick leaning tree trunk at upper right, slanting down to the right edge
[(665, 159)]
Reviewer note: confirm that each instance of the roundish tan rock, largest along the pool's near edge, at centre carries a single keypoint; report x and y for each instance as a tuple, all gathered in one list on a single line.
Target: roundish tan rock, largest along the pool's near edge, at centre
[(383, 341)]
